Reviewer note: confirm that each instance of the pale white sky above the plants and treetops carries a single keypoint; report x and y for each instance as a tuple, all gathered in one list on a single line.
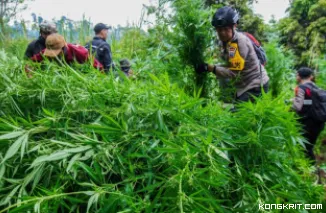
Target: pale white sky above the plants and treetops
[(114, 12)]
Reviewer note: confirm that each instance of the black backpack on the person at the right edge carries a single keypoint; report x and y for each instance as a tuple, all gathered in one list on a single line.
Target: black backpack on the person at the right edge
[(317, 110)]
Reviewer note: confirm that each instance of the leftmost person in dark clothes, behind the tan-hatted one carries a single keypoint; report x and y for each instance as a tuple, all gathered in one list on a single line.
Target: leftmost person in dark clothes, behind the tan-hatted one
[(36, 46)]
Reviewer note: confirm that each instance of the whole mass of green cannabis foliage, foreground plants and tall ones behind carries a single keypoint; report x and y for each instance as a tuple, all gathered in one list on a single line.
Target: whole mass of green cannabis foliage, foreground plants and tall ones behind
[(75, 140)]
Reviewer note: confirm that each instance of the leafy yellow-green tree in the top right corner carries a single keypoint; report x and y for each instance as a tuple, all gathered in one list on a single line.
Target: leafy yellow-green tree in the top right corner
[(303, 31)]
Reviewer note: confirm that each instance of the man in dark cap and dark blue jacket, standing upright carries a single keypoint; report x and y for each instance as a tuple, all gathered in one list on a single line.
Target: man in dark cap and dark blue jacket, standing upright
[(100, 48)]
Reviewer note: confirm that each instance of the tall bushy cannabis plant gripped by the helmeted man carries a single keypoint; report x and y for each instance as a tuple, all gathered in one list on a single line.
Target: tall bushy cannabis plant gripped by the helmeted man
[(192, 36)]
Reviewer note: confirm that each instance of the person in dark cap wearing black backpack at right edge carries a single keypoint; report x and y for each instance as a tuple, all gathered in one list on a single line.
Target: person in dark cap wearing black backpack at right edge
[(302, 104)]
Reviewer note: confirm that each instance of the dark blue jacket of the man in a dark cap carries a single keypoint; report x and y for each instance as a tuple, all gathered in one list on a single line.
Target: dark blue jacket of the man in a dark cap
[(102, 51)]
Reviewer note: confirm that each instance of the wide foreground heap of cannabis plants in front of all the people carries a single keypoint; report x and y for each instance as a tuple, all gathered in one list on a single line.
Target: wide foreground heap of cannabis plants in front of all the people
[(73, 142)]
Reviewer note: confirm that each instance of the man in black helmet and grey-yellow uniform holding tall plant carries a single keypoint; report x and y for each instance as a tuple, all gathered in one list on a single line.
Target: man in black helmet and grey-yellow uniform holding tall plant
[(243, 64)]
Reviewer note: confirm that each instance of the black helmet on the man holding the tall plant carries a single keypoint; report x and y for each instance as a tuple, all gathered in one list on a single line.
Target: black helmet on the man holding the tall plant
[(225, 16)]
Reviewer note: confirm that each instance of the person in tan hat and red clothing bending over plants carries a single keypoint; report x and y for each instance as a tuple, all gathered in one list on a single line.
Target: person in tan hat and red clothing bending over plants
[(58, 50)]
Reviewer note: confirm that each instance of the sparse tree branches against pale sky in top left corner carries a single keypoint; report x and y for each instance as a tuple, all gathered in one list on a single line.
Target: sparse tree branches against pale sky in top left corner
[(8, 10)]
